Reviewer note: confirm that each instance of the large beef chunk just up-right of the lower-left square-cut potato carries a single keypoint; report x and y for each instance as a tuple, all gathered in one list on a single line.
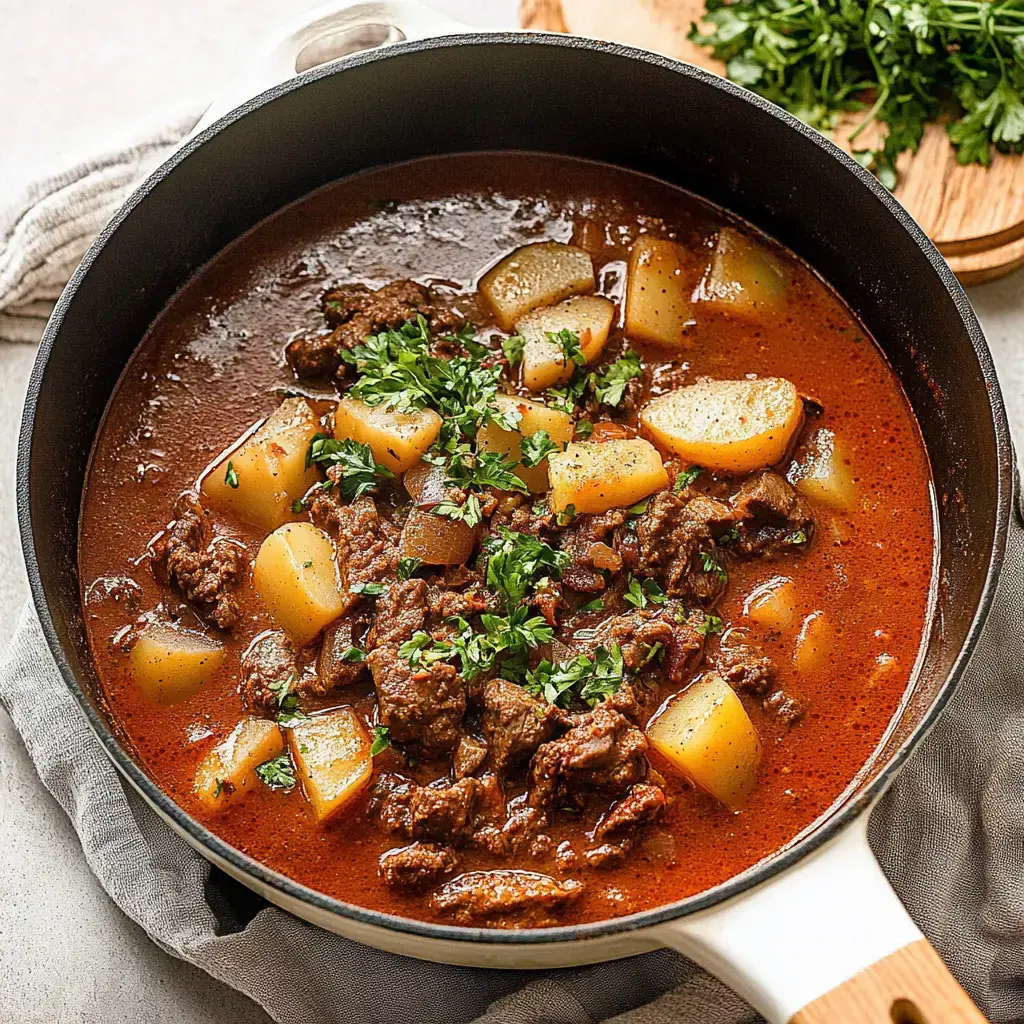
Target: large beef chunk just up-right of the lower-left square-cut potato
[(423, 707)]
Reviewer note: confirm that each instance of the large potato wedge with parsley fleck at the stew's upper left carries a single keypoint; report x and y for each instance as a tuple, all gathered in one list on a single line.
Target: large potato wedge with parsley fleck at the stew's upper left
[(269, 472)]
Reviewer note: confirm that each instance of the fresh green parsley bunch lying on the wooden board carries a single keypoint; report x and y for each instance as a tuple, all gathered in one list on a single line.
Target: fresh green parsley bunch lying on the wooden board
[(905, 62)]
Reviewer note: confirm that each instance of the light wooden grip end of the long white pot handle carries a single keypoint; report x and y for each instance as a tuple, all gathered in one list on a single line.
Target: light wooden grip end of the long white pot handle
[(910, 987)]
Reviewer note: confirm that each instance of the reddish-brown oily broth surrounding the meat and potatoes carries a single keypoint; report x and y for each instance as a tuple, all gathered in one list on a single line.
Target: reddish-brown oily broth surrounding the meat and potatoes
[(209, 368)]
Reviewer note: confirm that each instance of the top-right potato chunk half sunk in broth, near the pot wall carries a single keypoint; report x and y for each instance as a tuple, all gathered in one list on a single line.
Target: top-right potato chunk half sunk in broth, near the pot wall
[(745, 280)]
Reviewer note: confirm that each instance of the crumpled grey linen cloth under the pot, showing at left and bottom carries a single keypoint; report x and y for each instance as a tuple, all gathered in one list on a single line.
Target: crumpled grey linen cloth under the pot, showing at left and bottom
[(949, 834)]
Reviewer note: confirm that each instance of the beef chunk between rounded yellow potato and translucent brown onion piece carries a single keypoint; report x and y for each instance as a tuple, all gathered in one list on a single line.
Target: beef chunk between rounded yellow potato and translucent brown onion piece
[(368, 543)]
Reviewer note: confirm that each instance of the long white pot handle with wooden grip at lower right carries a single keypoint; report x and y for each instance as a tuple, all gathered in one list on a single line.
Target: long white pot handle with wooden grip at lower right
[(826, 942)]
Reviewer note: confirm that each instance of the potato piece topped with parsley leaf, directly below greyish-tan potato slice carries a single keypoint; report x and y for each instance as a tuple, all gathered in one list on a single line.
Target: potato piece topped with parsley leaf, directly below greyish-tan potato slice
[(544, 363)]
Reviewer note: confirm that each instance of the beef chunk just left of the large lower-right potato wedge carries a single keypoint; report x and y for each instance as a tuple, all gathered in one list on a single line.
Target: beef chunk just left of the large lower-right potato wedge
[(604, 751)]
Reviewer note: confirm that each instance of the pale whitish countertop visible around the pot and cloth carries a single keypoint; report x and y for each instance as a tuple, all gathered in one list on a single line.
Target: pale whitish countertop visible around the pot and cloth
[(74, 79)]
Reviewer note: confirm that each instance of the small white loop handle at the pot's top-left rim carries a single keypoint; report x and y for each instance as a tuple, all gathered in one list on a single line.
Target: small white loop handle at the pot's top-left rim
[(335, 30)]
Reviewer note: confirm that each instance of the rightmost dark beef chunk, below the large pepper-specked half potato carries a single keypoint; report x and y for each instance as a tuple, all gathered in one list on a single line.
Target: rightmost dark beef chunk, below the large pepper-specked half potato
[(773, 518)]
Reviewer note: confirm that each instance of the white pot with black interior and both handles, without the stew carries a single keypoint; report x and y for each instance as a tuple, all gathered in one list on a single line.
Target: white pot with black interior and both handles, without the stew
[(816, 925)]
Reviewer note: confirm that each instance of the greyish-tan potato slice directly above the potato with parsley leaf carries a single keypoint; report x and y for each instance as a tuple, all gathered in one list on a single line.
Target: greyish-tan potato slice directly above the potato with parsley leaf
[(538, 275)]
